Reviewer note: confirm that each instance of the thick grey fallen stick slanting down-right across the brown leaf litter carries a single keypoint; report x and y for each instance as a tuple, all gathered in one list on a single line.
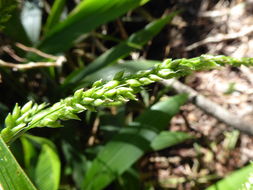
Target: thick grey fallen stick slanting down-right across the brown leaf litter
[(211, 107)]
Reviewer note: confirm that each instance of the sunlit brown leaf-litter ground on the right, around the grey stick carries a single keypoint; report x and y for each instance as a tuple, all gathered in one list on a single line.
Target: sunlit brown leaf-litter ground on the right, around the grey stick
[(208, 27)]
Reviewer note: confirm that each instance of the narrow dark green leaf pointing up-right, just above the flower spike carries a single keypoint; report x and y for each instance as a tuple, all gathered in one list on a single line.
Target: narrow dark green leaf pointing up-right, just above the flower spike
[(136, 40)]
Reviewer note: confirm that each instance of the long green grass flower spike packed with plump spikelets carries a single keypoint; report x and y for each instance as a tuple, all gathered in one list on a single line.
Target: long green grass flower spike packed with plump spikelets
[(111, 93)]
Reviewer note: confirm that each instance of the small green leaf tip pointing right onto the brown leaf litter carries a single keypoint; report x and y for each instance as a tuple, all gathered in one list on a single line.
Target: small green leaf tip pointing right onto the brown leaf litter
[(169, 138)]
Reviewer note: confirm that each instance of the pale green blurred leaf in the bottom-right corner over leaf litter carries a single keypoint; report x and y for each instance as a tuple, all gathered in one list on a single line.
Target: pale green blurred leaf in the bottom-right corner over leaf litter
[(235, 180)]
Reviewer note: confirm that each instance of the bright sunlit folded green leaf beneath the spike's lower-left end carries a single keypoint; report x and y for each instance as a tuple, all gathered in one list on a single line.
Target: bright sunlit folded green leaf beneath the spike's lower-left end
[(41, 161)]
